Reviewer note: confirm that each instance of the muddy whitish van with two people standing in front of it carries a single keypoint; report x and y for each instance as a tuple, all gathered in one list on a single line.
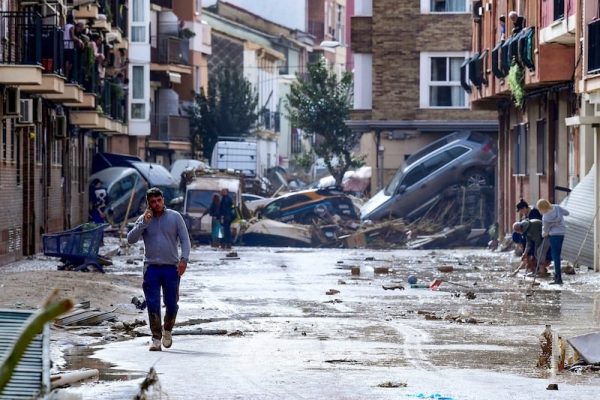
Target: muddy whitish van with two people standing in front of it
[(198, 196)]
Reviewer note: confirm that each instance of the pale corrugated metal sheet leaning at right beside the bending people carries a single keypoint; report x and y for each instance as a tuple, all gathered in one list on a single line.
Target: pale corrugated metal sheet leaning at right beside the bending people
[(581, 203)]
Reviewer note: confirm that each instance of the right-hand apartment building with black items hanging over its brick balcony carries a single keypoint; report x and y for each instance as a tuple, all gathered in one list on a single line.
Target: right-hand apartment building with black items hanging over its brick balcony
[(523, 67)]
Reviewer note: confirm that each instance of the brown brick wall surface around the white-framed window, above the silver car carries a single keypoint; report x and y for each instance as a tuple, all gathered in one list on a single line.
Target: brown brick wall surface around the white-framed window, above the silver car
[(399, 34)]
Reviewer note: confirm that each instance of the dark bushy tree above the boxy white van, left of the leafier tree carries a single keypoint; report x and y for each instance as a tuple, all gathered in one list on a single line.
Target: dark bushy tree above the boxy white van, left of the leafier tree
[(227, 108)]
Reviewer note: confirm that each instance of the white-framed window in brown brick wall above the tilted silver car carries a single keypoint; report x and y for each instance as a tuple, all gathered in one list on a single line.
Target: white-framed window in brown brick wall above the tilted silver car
[(440, 80)]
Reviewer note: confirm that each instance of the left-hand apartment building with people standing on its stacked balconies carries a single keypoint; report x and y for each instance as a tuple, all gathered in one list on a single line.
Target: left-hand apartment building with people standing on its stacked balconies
[(61, 97)]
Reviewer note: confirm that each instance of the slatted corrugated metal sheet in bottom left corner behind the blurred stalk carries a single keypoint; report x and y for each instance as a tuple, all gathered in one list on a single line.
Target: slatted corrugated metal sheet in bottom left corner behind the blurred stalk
[(32, 375)]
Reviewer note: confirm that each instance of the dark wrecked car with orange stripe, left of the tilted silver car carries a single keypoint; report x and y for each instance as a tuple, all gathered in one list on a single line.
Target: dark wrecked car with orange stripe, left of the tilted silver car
[(309, 206)]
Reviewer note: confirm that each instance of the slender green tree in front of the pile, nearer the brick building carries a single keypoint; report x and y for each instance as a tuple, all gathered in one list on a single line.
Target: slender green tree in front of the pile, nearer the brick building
[(319, 104)]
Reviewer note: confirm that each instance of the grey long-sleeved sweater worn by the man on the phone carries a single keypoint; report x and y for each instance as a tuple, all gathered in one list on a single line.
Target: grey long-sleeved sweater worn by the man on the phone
[(160, 236)]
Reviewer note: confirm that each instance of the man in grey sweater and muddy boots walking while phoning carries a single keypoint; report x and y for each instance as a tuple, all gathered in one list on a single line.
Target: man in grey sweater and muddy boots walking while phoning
[(162, 230)]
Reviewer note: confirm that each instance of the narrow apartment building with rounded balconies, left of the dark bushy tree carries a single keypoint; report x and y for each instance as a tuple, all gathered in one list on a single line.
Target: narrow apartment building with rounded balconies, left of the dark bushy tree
[(179, 48)]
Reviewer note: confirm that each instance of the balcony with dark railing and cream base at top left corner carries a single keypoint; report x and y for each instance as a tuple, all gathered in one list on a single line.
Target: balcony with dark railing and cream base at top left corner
[(21, 48)]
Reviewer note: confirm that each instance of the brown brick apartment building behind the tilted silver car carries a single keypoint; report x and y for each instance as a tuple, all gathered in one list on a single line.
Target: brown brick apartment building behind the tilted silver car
[(407, 91)]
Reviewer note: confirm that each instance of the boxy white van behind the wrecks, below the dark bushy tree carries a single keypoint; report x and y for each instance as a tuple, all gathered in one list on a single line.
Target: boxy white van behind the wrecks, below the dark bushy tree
[(236, 155)]
